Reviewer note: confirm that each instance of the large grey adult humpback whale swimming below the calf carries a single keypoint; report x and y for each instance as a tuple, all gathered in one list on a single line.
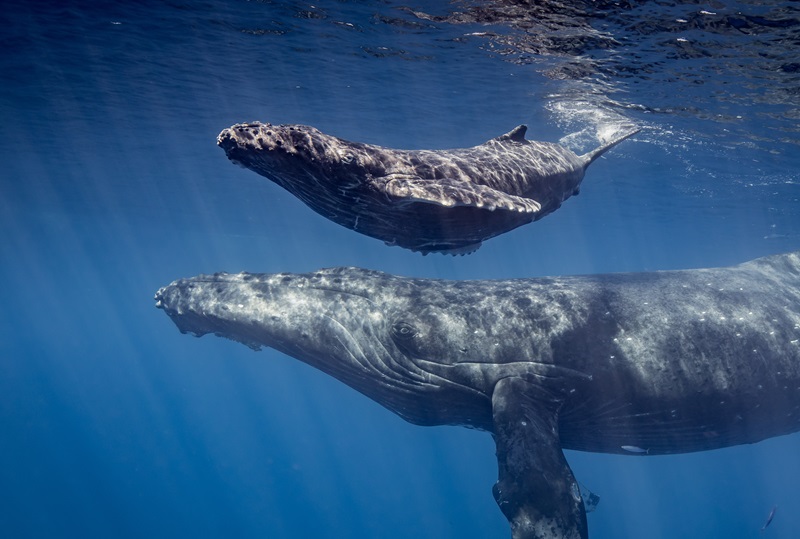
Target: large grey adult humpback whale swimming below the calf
[(656, 363)]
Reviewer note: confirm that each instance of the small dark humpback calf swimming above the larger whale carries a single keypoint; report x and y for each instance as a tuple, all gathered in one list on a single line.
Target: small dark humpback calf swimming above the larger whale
[(424, 200)]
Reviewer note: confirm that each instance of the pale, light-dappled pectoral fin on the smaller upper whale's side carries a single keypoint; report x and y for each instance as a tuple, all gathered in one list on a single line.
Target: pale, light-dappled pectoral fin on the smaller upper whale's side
[(449, 193)]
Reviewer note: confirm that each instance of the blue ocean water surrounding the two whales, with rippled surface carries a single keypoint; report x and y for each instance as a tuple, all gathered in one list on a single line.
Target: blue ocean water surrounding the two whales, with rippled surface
[(116, 425)]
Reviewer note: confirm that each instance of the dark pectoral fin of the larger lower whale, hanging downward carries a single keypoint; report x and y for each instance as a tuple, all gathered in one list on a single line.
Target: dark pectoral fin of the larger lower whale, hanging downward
[(535, 488)]
